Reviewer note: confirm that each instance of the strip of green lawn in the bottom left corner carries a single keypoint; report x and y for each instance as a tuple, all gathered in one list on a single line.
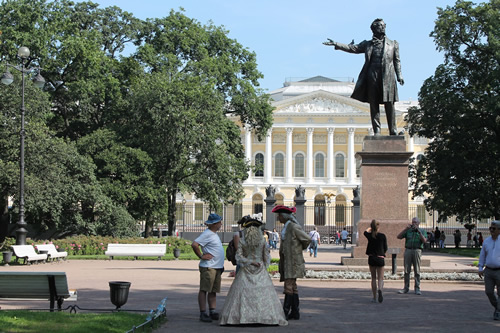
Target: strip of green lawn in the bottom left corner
[(36, 321)]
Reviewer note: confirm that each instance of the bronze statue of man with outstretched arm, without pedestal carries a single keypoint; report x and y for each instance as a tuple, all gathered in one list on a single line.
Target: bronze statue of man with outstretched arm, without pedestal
[(377, 81)]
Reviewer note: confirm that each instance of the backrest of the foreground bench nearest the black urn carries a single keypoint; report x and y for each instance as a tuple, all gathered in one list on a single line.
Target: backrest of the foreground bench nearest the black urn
[(32, 284)]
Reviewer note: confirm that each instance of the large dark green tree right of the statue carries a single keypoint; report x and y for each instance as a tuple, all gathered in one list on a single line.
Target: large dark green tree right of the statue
[(459, 110)]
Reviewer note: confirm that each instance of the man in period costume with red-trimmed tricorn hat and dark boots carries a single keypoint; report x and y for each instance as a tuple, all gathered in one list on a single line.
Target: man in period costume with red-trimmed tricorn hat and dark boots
[(292, 265)]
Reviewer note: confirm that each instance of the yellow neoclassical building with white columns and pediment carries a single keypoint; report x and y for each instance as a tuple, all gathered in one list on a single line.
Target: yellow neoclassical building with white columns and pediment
[(317, 131)]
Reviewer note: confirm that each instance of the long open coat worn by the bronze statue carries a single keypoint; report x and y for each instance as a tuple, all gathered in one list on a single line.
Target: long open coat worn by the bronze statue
[(391, 68)]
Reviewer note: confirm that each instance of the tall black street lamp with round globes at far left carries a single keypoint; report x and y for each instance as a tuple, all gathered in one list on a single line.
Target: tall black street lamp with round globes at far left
[(7, 78)]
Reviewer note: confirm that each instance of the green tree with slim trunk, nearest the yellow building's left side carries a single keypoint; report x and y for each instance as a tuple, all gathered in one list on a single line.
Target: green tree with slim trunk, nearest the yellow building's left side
[(197, 83)]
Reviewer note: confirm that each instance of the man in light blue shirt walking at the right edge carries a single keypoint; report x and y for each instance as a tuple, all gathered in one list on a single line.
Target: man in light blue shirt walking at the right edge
[(489, 266)]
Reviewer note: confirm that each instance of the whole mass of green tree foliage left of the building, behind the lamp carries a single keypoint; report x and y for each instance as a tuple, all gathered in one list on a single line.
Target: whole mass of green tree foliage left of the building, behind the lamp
[(134, 111)]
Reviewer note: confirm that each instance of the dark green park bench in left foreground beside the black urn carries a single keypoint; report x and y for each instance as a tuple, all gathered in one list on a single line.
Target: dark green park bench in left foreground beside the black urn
[(52, 286)]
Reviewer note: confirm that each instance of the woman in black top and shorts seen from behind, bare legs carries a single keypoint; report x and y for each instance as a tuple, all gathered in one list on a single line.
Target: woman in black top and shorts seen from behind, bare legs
[(376, 249)]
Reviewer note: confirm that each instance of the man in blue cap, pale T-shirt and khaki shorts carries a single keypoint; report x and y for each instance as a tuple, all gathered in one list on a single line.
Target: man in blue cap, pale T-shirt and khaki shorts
[(211, 267)]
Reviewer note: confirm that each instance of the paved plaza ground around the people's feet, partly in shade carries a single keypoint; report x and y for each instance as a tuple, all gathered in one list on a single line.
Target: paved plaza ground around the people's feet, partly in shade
[(326, 305)]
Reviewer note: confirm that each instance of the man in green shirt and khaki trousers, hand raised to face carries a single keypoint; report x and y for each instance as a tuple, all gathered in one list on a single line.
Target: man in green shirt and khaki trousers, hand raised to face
[(414, 244)]
